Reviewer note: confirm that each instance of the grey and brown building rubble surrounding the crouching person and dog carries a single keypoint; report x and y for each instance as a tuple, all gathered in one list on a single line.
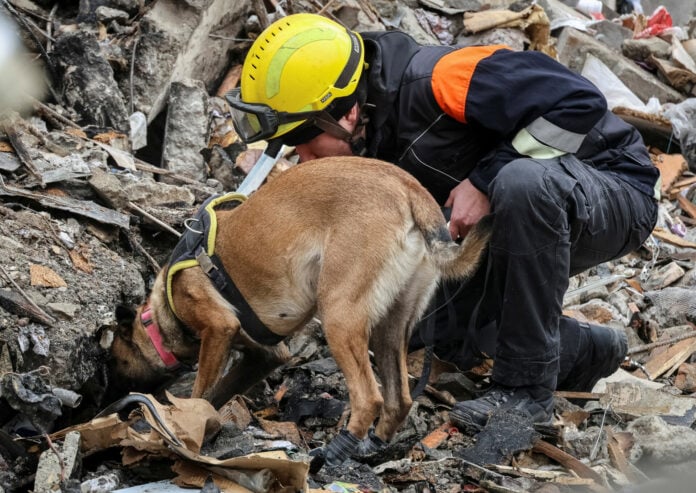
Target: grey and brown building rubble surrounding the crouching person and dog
[(114, 129)]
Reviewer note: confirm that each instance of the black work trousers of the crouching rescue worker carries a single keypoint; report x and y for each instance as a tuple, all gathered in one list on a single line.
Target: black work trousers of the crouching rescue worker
[(553, 218)]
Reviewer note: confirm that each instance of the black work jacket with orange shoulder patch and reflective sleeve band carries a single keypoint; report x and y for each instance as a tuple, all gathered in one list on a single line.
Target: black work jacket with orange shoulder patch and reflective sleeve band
[(445, 114)]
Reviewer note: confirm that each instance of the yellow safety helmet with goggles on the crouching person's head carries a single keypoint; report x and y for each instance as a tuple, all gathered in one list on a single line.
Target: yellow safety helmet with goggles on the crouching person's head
[(293, 72)]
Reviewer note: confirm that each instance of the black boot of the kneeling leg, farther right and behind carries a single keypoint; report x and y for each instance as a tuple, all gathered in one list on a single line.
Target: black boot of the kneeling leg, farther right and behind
[(588, 353)]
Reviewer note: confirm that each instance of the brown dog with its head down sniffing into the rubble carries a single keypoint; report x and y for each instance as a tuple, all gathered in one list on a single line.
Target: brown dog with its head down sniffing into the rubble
[(357, 242)]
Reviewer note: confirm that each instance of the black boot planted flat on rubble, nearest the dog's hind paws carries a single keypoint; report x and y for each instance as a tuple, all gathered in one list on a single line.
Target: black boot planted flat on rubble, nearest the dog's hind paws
[(534, 400)]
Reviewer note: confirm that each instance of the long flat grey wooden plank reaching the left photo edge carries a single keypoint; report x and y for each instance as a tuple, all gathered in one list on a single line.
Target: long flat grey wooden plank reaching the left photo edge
[(85, 208)]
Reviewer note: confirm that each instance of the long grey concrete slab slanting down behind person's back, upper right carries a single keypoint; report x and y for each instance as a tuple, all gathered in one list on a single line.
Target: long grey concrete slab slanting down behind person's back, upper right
[(573, 47)]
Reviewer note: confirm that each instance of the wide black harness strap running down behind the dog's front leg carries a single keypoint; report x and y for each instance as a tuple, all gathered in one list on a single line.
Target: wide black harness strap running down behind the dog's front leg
[(252, 325)]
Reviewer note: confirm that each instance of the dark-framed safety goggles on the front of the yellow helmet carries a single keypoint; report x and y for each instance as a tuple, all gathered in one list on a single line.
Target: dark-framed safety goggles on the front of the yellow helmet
[(257, 121)]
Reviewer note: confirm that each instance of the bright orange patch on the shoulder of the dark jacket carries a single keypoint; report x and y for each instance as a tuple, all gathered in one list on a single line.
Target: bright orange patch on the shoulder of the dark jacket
[(452, 75)]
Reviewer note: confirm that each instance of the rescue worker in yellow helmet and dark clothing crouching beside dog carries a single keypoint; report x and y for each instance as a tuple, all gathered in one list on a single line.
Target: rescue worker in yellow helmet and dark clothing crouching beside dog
[(486, 130)]
